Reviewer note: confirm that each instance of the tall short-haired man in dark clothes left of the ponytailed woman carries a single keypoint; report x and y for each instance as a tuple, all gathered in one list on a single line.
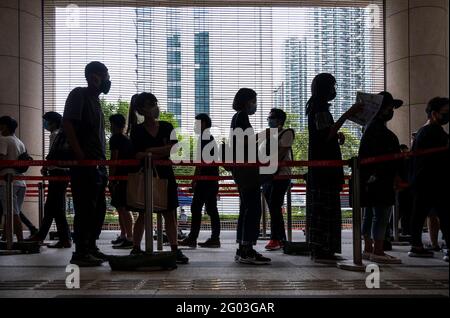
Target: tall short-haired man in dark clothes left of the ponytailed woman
[(84, 126)]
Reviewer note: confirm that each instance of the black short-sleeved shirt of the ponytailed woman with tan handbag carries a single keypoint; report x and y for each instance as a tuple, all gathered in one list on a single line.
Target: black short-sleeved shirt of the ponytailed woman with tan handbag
[(142, 140)]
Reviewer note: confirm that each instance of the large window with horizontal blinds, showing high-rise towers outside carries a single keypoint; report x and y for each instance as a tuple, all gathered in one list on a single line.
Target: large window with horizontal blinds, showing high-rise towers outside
[(195, 58)]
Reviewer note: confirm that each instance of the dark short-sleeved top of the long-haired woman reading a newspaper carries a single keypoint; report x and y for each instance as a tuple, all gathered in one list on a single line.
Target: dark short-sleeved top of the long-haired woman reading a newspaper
[(321, 147)]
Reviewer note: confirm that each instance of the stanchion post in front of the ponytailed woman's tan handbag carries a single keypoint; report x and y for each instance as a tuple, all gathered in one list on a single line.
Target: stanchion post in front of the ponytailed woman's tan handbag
[(148, 189)]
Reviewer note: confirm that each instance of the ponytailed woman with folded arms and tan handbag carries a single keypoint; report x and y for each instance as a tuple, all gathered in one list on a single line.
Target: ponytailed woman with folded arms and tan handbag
[(153, 136)]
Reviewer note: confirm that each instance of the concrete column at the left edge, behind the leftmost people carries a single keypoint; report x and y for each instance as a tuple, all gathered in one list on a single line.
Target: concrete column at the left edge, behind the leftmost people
[(21, 76)]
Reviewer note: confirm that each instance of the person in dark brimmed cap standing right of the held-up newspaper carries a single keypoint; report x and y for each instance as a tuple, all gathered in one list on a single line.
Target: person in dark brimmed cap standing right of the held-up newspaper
[(378, 181)]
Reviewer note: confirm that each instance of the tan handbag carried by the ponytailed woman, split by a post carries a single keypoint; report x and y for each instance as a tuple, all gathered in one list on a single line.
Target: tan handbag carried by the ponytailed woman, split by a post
[(136, 191)]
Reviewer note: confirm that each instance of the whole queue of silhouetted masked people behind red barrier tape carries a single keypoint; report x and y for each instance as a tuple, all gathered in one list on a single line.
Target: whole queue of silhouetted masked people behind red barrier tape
[(80, 134)]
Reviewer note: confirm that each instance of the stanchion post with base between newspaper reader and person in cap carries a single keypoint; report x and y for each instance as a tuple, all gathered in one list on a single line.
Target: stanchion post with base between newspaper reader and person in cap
[(356, 264)]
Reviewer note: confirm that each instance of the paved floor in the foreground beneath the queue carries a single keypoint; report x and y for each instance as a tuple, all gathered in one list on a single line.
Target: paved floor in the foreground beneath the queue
[(213, 272)]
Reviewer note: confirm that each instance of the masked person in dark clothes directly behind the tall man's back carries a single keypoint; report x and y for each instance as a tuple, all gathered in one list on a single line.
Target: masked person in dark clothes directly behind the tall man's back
[(55, 205)]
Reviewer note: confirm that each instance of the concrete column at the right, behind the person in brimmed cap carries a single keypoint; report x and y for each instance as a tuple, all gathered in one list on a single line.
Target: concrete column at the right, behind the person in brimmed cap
[(416, 59)]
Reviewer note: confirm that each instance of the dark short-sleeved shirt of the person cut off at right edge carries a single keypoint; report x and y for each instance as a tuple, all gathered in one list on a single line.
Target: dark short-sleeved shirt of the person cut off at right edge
[(430, 173)]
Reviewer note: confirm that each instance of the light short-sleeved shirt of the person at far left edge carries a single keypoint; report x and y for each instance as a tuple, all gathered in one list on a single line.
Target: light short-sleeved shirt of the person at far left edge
[(11, 148)]
